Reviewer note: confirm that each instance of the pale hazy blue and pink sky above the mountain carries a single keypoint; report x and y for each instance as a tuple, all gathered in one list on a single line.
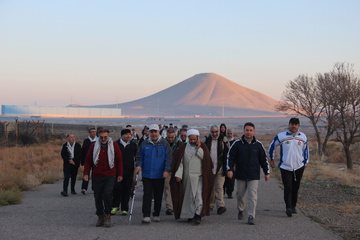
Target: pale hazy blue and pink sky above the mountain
[(55, 53)]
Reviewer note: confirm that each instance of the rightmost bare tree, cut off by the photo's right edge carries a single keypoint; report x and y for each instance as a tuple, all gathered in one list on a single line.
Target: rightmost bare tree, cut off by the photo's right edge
[(344, 94)]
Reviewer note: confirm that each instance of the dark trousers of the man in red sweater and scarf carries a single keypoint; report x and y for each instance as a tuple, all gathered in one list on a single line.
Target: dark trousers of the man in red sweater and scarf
[(103, 188)]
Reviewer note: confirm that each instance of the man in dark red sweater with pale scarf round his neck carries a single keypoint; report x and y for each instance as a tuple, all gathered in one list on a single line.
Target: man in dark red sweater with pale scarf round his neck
[(106, 160)]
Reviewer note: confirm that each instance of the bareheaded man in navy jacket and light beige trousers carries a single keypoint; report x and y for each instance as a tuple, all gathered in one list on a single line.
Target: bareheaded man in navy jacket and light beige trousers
[(248, 154)]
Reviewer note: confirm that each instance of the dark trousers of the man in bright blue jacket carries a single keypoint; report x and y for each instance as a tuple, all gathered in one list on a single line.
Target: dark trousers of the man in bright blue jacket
[(156, 187)]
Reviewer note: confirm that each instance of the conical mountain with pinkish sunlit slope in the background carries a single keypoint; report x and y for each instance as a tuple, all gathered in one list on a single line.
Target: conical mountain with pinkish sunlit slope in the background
[(205, 94)]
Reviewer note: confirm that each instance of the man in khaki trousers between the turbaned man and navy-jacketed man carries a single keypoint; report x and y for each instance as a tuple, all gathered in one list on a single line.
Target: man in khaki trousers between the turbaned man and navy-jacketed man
[(218, 146)]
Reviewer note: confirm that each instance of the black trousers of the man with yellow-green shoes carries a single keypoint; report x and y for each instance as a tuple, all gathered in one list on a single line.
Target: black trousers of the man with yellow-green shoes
[(121, 193)]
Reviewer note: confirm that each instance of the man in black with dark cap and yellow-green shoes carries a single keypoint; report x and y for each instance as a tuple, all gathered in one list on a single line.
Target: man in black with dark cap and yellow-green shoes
[(122, 190)]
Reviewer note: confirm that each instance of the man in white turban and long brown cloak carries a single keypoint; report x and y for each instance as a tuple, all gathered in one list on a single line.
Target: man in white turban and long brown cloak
[(192, 179)]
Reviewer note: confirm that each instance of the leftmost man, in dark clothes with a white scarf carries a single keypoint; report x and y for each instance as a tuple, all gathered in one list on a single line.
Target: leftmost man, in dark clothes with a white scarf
[(71, 155)]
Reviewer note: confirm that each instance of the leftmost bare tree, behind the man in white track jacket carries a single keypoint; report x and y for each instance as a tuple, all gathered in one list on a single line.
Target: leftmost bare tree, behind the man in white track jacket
[(301, 97)]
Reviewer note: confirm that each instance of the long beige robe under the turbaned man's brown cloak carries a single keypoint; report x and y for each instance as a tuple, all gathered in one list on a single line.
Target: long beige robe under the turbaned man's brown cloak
[(190, 171)]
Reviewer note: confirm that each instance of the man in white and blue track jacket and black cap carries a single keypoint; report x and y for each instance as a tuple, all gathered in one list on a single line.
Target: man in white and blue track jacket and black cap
[(294, 155)]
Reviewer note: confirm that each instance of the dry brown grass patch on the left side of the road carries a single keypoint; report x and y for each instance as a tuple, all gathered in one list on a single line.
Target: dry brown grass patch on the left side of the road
[(23, 168)]
